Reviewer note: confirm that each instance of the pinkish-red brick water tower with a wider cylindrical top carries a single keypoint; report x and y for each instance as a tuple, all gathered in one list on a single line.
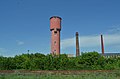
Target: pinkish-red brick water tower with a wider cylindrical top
[(55, 28)]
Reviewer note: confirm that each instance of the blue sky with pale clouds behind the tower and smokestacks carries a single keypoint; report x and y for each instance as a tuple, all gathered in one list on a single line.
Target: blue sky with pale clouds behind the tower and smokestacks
[(25, 25)]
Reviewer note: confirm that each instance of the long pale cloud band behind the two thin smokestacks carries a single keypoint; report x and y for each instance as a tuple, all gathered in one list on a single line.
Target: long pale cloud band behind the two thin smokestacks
[(92, 41)]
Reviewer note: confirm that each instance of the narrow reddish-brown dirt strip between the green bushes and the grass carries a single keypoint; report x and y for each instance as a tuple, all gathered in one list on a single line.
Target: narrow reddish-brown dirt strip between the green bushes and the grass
[(64, 72)]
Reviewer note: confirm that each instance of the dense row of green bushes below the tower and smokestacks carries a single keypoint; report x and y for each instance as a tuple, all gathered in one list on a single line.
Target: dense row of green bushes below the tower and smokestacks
[(37, 61)]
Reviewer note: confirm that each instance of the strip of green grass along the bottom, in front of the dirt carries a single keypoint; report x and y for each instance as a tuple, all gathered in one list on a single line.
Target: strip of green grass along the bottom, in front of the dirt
[(59, 75)]
